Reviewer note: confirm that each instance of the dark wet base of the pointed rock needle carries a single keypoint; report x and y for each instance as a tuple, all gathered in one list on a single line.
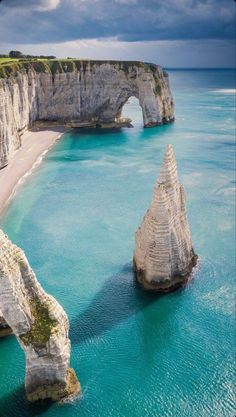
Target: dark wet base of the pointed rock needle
[(165, 286)]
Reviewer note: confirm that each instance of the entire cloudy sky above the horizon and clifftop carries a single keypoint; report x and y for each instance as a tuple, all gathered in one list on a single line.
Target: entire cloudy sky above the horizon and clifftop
[(174, 33)]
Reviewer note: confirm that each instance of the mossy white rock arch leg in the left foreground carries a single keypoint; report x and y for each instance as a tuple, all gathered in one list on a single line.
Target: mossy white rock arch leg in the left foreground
[(40, 325)]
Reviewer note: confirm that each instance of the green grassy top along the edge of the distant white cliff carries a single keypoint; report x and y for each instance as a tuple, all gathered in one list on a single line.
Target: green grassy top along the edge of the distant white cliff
[(10, 67)]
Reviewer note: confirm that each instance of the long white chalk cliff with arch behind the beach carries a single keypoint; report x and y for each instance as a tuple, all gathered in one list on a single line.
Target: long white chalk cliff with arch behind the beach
[(81, 91)]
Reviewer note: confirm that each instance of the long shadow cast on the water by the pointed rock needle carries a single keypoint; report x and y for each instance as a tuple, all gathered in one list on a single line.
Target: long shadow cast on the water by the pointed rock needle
[(119, 298)]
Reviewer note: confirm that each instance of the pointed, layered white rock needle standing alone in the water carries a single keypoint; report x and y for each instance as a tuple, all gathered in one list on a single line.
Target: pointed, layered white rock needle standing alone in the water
[(164, 255)]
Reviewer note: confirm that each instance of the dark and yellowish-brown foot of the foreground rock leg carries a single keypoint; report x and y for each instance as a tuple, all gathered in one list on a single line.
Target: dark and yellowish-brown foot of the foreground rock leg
[(56, 392)]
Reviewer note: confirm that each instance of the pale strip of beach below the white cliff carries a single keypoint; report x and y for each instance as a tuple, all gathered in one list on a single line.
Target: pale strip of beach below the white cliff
[(35, 144)]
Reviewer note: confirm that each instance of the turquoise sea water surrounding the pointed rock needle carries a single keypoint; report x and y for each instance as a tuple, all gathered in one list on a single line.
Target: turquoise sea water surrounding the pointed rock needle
[(136, 355)]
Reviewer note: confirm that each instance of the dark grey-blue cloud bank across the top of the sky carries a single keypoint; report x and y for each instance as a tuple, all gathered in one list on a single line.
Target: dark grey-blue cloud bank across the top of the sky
[(32, 21)]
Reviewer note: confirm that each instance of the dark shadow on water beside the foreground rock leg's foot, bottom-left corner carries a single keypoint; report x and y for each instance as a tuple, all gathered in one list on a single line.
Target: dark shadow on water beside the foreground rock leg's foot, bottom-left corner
[(15, 404)]
